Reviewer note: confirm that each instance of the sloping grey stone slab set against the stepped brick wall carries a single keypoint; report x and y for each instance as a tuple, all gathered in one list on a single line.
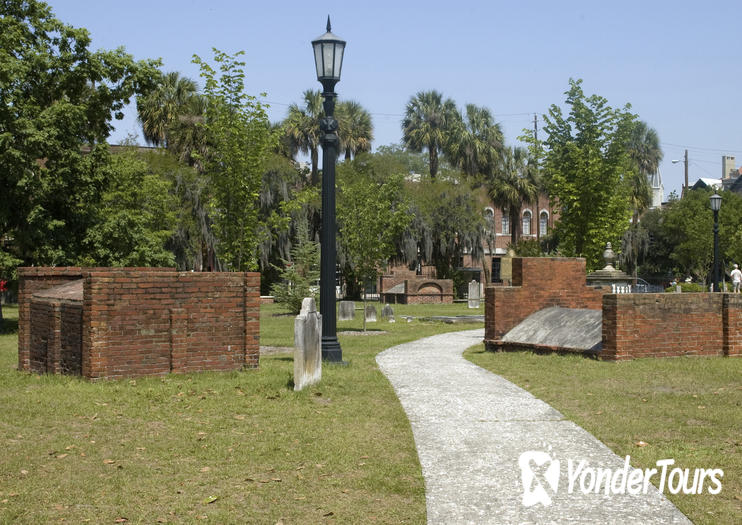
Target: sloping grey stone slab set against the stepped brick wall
[(574, 328)]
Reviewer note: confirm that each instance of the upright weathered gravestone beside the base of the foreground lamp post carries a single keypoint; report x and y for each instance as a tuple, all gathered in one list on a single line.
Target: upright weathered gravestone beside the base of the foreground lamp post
[(307, 345)]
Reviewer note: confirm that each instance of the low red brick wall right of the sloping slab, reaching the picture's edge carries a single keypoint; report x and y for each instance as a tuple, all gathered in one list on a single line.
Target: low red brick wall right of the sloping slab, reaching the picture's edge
[(668, 325)]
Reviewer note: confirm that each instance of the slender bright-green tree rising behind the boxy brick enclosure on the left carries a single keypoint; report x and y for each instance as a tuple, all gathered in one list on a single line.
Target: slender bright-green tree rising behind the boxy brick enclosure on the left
[(241, 140)]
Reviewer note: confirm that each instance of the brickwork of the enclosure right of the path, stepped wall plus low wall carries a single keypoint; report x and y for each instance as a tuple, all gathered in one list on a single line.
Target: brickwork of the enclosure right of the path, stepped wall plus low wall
[(633, 325)]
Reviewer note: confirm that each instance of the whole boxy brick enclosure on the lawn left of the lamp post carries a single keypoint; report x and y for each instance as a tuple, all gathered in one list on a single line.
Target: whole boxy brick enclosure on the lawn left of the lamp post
[(128, 322)]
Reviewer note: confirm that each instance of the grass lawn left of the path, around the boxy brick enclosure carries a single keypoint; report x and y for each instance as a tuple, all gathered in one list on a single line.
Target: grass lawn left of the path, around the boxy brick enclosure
[(236, 447)]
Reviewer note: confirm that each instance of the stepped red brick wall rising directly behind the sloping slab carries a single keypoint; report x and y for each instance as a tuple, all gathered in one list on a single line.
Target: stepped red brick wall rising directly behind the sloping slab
[(538, 282)]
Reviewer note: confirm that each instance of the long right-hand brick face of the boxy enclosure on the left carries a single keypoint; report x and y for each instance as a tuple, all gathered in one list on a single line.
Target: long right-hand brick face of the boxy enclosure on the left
[(147, 323)]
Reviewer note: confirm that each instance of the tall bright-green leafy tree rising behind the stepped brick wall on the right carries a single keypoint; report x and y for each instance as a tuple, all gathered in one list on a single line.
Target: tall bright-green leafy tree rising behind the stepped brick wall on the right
[(585, 165)]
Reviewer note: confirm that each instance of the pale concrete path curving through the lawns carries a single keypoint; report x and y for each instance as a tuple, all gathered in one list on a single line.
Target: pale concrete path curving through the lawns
[(470, 428)]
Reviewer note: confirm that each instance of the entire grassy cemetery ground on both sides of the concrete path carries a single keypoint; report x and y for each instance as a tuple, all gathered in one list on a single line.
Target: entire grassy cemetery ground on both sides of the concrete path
[(244, 447)]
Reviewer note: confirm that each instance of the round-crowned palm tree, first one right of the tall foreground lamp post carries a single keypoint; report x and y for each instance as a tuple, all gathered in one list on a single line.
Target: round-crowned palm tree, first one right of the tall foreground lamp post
[(427, 124)]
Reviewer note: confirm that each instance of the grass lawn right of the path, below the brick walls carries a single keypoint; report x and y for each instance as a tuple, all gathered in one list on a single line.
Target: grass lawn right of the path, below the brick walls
[(687, 409)]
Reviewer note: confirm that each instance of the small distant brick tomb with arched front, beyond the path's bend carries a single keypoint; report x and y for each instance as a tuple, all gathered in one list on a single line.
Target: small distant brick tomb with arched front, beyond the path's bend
[(405, 287)]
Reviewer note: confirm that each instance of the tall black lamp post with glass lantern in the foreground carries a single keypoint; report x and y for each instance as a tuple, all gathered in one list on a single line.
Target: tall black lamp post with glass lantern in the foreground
[(328, 58)]
